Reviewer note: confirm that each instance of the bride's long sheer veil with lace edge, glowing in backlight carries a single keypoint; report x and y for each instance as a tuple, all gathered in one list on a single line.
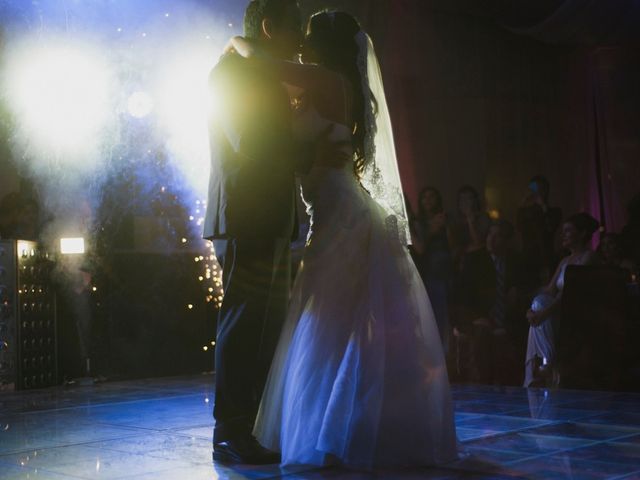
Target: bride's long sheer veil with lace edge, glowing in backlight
[(381, 176)]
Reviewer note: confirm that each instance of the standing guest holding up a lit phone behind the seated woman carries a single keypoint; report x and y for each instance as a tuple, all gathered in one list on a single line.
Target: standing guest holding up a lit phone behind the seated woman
[(537, 224)]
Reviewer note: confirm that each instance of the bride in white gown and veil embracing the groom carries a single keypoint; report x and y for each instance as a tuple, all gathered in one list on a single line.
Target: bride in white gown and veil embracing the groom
[(359, 376)]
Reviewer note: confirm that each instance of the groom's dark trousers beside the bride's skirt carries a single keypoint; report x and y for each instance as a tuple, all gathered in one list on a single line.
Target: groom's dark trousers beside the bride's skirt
[(256, 280)]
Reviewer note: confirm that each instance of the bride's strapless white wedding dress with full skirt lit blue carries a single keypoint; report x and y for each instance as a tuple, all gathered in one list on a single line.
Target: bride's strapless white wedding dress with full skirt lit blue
[(359, 376)]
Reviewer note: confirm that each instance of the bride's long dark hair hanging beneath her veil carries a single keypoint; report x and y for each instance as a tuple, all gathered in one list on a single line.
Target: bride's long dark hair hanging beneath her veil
[(332, 36)]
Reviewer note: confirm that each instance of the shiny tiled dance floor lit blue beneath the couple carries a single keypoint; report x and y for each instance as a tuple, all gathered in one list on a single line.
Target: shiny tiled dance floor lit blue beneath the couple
[(161, 429)]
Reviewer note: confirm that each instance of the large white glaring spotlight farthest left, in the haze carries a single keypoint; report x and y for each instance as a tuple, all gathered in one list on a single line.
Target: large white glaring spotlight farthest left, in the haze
[(60, 95)]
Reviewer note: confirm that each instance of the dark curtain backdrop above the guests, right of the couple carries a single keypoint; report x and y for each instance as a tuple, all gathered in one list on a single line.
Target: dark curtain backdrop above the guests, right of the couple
[(492, 92)]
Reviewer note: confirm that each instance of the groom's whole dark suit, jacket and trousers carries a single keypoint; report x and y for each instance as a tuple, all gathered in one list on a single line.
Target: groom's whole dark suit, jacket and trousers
[(251, 219)]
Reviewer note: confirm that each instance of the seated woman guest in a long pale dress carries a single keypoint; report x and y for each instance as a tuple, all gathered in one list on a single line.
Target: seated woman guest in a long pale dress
[(540, 366)]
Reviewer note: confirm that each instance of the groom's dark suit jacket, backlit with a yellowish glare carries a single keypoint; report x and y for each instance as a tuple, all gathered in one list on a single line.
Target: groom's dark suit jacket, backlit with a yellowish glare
[(253, 156)]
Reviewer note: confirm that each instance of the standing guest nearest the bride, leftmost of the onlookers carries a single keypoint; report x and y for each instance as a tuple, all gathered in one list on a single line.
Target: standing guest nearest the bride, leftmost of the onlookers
[(434, 256)]
